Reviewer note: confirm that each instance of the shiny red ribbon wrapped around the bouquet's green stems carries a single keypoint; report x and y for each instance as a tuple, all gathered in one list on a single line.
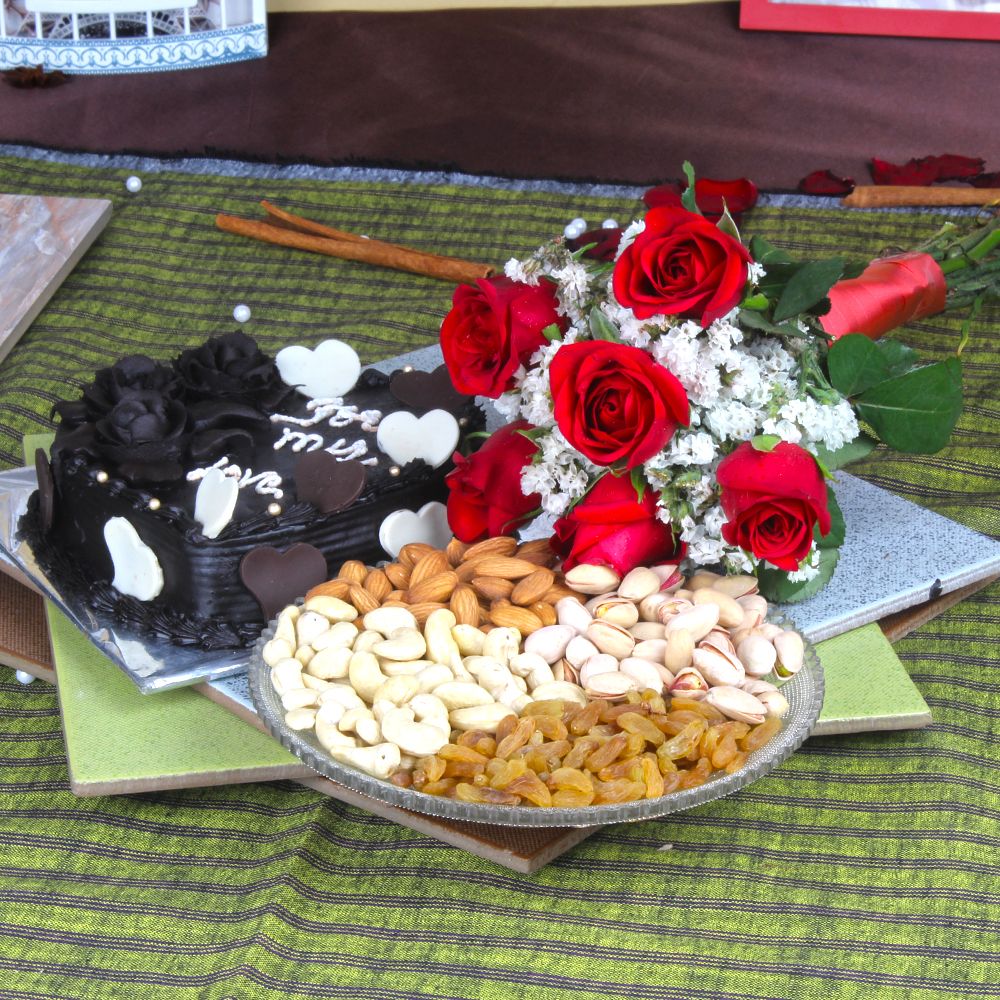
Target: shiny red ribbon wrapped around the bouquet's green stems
[(888, 293)]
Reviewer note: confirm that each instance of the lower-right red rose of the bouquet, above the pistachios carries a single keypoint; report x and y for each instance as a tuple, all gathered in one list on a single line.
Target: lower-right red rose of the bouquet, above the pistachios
[(772, 501)]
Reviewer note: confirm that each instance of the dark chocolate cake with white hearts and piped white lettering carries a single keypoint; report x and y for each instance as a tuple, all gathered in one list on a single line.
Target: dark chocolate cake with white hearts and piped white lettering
[(187, 499)]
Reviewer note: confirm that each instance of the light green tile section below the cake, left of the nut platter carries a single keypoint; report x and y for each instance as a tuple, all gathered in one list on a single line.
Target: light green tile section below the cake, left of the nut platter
[(118, 740)]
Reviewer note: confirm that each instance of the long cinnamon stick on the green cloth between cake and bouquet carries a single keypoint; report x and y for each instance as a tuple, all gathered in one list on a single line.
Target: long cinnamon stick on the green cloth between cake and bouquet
[(357, 248)]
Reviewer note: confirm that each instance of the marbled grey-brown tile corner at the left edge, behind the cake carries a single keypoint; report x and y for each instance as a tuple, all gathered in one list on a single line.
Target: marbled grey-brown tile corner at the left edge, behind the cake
[(41, 241)]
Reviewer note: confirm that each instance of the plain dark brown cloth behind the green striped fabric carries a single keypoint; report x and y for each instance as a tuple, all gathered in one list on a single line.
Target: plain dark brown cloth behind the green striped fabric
[(611, 94)]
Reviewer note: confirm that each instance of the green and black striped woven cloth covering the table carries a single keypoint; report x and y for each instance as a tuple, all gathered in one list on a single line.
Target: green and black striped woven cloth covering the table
[(865, 867)]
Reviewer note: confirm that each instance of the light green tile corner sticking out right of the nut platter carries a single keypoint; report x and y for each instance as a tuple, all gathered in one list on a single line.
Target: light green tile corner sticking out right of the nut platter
[(867, 686)]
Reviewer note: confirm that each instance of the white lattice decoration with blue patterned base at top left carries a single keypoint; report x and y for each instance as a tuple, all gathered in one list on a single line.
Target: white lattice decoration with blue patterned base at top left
[(128, 36)]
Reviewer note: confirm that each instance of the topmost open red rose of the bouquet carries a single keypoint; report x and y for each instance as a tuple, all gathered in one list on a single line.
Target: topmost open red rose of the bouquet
[(681, 265)]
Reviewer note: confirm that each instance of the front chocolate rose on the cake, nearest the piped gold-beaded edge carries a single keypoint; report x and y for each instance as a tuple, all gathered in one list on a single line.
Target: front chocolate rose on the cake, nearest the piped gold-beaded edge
[(145, 436)]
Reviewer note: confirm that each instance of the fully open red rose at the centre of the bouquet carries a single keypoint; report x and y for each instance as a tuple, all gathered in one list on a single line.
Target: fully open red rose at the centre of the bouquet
[(614, 403)]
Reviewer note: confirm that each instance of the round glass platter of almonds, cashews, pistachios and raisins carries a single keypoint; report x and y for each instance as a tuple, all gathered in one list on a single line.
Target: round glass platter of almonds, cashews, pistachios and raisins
[(479, 682)]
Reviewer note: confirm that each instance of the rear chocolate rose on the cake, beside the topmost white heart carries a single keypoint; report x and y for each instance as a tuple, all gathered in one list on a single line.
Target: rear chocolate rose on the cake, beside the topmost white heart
[(231, 367)]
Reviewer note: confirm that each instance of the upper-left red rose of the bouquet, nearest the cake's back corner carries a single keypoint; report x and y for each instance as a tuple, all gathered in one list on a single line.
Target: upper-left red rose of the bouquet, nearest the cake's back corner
[(493, 327)]
